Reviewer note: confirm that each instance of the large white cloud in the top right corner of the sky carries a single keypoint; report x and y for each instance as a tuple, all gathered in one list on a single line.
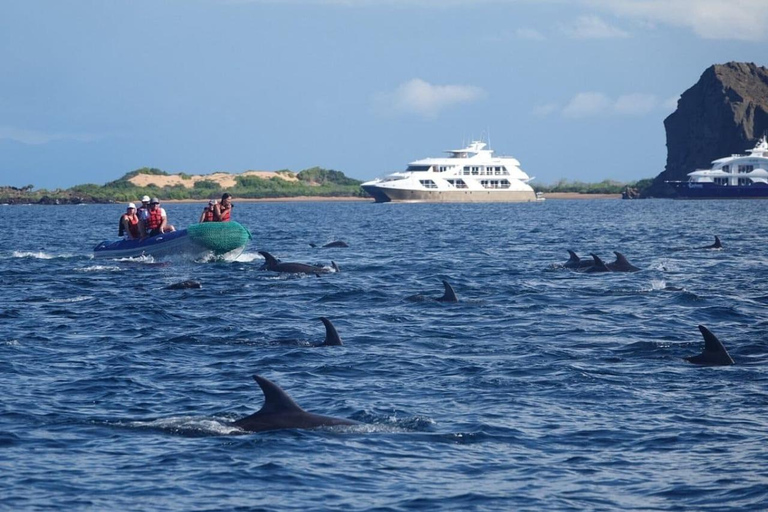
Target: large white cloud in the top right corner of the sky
[(710, 19)]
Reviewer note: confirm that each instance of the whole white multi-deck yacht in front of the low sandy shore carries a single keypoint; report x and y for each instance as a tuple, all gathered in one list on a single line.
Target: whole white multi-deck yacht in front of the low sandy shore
[(468, 175)]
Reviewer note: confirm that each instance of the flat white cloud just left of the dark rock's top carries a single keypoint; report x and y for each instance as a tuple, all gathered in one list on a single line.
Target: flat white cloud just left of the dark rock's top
[(596, 104)]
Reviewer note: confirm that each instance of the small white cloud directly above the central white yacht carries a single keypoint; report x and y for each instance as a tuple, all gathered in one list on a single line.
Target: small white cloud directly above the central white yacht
[(422, 98)]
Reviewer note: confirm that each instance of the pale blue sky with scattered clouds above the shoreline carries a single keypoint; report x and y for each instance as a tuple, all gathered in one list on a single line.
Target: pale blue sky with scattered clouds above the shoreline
[(92, 89)]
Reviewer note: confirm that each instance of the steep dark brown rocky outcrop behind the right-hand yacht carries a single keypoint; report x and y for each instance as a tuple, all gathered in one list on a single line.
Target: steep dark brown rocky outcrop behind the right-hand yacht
[(726, 112)]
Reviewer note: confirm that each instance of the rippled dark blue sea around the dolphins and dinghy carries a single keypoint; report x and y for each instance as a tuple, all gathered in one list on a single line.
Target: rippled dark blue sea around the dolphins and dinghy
[(542, 389)]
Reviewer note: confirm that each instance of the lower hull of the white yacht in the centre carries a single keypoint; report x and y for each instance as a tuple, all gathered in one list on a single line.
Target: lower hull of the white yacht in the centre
[(386, 195)]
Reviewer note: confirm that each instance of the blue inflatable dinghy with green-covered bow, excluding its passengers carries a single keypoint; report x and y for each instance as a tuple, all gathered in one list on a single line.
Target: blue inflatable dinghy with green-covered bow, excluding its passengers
[(208, 239)]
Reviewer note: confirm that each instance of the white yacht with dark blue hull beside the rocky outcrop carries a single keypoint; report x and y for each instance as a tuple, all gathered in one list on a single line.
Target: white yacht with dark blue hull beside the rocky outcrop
[(732, 177)]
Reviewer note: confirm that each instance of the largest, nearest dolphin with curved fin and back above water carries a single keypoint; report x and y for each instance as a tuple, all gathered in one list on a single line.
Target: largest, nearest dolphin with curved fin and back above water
[(281, 412)]
